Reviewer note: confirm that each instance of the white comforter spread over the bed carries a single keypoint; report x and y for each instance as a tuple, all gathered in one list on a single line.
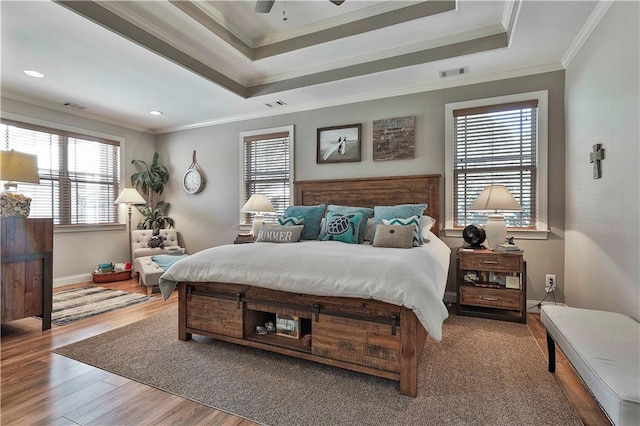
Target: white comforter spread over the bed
[(414, 278)]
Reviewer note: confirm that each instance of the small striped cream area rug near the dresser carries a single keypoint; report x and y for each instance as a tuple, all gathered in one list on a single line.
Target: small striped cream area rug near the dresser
[(79, 303)]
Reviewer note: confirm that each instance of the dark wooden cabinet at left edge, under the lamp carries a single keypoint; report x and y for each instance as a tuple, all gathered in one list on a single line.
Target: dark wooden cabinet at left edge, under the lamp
[(26, 253)]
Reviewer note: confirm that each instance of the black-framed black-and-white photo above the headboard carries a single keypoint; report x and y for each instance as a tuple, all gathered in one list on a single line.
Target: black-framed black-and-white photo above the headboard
[(339, 144)]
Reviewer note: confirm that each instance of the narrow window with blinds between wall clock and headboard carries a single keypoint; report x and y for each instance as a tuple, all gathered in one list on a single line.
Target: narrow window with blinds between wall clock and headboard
[(267, 167)]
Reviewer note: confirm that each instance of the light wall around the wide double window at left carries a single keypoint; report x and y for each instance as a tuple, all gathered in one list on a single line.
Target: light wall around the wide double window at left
[(76, 254)]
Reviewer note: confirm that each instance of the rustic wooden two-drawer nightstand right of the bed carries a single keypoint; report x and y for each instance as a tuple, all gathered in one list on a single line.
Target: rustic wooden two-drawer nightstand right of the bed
[(492, 284)]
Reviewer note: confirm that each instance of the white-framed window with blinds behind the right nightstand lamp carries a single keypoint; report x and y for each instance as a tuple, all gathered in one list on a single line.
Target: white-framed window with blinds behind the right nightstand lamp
[(497, 141)]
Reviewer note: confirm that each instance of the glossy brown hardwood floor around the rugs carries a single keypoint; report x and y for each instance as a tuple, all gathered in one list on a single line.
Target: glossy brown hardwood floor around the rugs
[(40, 387)]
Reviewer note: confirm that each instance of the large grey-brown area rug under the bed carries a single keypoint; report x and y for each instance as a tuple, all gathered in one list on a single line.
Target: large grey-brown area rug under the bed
[(484, 372)]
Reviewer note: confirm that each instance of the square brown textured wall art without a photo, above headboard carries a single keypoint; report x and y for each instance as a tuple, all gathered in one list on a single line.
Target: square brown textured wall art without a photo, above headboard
[(394, 139)]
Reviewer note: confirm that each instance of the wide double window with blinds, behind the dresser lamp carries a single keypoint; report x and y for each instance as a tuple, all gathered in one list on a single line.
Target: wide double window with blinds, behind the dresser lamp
[(79, 174)]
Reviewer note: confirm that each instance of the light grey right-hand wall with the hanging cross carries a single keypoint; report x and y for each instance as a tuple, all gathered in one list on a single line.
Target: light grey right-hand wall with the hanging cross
[(602, 249)]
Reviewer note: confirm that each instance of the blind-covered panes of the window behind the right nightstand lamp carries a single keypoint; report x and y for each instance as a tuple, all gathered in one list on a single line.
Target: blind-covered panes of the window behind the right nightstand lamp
[(495, 145)]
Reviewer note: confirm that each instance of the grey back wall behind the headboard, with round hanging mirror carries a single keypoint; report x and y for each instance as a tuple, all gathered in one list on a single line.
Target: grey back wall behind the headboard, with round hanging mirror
[(211, 217)]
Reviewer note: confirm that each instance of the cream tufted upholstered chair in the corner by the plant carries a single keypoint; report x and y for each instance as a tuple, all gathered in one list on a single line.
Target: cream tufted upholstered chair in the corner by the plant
[(148, 271)]
